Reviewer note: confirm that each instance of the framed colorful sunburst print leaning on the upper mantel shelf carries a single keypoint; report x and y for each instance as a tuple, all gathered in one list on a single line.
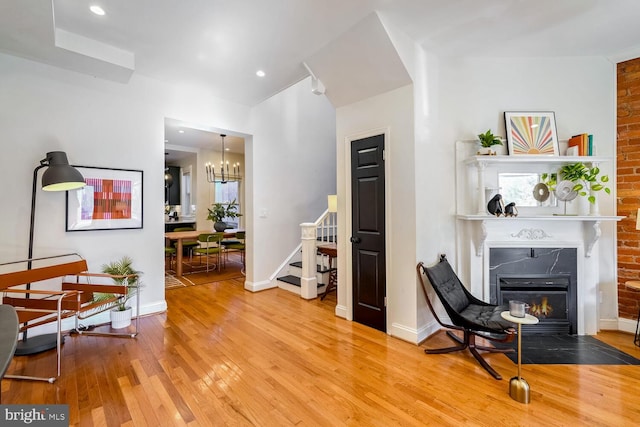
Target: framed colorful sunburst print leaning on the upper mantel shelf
[(531, 133)]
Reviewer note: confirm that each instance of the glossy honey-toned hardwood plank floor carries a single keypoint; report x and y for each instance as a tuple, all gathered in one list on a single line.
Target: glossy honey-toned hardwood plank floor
[(221, 356)]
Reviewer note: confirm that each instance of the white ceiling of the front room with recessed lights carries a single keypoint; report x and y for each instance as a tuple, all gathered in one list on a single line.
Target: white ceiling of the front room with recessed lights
[(221, 44)]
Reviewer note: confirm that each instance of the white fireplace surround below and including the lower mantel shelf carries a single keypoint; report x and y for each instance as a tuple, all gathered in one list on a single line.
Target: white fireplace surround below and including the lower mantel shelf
[(581, 233)]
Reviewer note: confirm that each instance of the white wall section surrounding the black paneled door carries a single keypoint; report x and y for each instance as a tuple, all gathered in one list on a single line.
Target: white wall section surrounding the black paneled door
[(391, 113)]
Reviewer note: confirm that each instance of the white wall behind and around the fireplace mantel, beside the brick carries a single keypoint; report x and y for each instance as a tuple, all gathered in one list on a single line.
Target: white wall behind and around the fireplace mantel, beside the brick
[(473, 94)]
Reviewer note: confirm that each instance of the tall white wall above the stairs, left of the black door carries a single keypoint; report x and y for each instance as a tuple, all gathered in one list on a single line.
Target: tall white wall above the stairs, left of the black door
[(291, 168)]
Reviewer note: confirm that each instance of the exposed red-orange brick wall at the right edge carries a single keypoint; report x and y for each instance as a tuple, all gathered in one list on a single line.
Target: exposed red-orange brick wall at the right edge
[(628, 173)]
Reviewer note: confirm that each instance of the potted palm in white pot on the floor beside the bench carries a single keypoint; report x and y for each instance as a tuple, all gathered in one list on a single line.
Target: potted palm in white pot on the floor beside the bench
[(127, 276)]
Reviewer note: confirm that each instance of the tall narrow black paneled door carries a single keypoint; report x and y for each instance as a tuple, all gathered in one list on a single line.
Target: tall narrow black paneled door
[(368, 232)]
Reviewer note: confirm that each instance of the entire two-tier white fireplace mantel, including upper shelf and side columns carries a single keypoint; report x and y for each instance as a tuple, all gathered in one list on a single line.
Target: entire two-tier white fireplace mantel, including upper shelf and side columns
[(576, 224)]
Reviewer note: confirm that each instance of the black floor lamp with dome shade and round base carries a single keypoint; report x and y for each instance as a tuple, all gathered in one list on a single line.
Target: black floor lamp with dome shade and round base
[(59, 176)]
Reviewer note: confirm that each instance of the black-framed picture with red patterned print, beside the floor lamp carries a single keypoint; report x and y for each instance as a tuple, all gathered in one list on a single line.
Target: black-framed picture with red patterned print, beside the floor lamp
[(111, 200)]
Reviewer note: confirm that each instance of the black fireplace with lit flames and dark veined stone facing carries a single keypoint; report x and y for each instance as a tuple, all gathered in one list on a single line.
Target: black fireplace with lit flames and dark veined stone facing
[(544, 278)]
